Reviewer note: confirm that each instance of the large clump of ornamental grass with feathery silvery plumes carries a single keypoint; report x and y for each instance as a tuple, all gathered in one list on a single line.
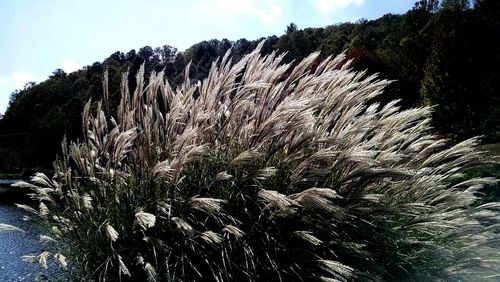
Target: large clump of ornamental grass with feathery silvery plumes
[(267, 172)]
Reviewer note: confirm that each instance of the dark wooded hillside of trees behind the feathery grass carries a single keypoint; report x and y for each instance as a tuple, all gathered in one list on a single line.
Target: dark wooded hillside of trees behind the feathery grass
[(443, 54)]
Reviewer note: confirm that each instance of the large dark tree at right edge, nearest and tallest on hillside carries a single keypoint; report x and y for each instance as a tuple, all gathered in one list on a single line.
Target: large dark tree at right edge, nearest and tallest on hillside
[(461, 75)]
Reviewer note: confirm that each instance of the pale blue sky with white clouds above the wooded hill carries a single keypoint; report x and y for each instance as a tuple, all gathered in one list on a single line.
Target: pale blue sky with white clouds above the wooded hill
[(38, 37)]
